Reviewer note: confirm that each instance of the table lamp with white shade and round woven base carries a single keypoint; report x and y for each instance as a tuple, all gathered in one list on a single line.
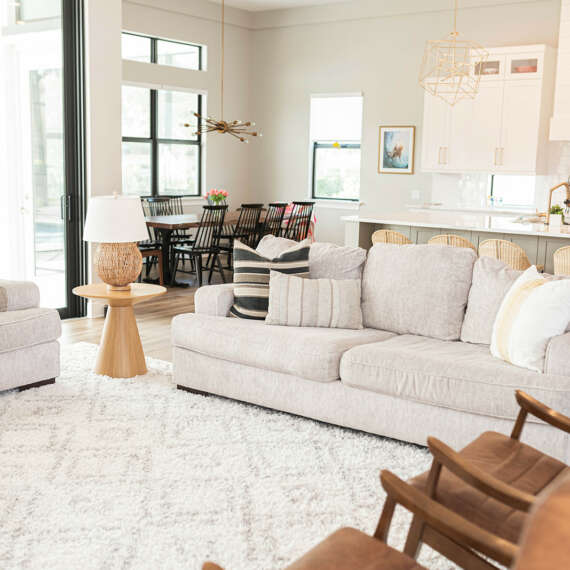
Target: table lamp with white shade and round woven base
[(116, 223)]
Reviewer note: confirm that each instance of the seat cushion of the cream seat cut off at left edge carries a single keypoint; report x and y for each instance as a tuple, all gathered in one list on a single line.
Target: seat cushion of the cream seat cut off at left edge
[(19, 329)]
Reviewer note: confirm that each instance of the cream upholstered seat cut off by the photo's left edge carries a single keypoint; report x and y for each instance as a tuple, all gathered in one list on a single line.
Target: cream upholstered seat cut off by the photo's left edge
[(29, 349)]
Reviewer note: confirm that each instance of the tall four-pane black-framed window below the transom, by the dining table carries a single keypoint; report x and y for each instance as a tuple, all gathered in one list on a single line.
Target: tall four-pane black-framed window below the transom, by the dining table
[(160, 155)]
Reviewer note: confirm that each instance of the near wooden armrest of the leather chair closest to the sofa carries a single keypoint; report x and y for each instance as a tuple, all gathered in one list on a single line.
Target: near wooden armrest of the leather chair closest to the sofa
[(478, 478)]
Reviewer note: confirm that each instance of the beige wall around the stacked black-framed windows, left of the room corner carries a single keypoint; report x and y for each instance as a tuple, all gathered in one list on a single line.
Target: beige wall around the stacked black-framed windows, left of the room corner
[(227, 161)]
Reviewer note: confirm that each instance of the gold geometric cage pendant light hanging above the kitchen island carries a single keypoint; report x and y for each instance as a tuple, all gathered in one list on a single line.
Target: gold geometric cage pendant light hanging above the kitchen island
[(451, 68)]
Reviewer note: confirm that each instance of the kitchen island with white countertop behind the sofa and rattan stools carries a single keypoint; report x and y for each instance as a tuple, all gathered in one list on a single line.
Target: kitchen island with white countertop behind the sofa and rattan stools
[(538, 240)]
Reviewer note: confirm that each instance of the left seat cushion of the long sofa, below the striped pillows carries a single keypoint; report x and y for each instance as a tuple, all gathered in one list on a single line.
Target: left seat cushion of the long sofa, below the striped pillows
[(312, 353)]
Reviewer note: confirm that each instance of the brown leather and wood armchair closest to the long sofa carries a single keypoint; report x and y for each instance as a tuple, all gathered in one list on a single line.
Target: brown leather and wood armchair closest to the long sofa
[(493, 482)]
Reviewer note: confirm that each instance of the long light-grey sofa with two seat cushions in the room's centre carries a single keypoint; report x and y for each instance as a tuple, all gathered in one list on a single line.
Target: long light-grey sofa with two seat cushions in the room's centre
[(396, 383)]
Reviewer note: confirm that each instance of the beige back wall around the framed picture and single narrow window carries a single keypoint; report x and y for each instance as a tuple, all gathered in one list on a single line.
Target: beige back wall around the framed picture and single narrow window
[(375, 48)]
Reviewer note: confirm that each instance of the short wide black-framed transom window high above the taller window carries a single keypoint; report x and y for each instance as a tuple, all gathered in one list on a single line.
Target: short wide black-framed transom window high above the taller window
[(147, 49)]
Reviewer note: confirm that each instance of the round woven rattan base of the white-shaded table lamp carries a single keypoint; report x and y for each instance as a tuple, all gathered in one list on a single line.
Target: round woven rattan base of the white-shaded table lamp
[(118, 264)]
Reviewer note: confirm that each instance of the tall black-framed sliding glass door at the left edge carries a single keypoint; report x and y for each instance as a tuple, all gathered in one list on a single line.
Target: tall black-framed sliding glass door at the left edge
[(41, 151)]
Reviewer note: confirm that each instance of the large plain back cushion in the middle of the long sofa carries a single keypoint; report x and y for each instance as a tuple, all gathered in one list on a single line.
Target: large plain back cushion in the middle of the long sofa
[(417, 289)]
